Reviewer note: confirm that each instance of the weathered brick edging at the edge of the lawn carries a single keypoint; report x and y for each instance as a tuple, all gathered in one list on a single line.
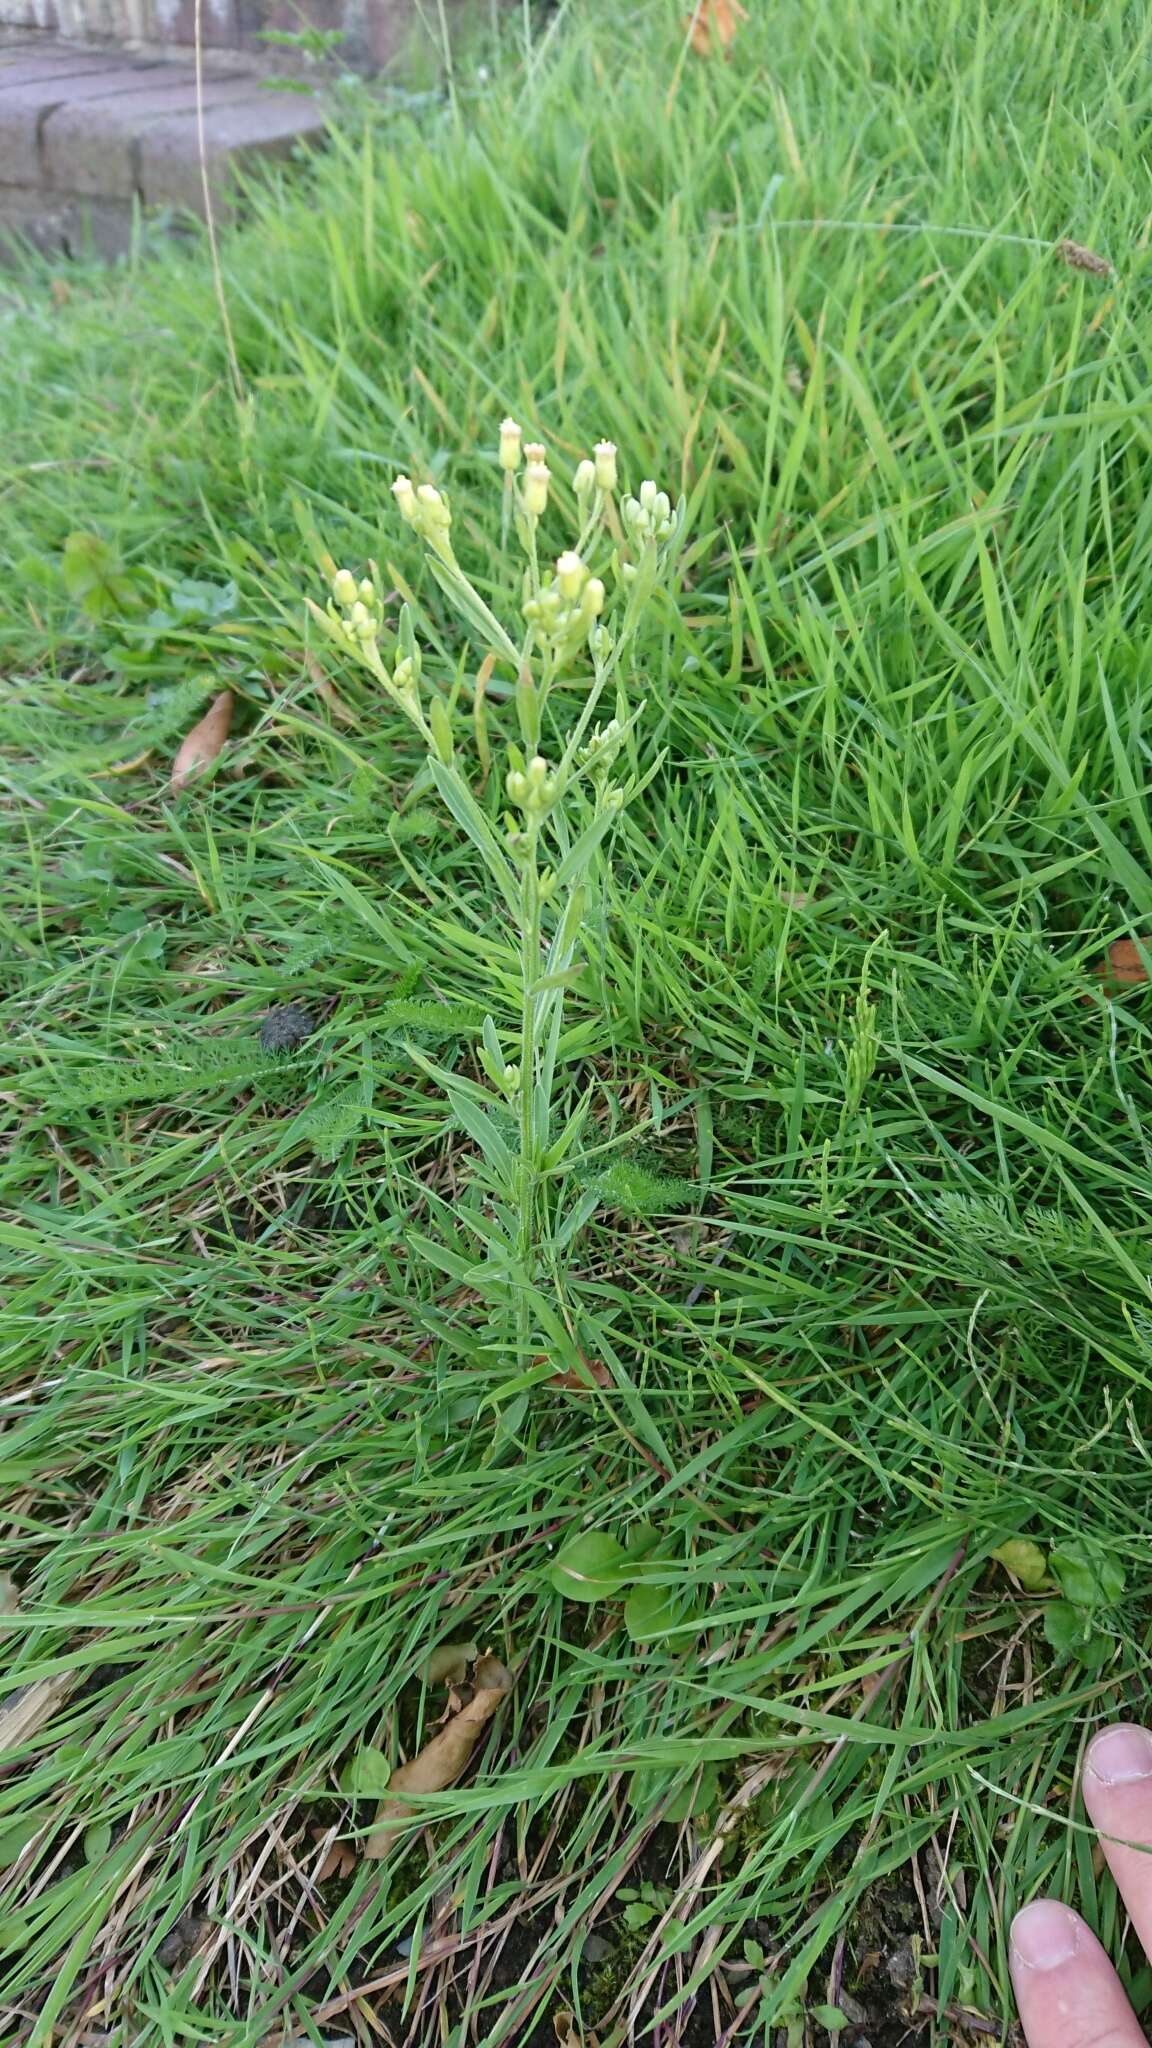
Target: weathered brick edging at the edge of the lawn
[(89, 138)]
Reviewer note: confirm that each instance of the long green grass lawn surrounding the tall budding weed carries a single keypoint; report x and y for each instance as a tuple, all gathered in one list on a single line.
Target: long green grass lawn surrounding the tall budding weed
[(255, 1455)]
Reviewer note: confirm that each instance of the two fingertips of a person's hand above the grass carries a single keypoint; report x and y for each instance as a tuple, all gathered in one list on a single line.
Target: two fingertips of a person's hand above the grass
[(1067, 1988)]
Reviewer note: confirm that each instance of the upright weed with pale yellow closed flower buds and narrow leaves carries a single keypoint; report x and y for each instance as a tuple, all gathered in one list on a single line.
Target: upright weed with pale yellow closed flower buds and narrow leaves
[(563, 781)]
